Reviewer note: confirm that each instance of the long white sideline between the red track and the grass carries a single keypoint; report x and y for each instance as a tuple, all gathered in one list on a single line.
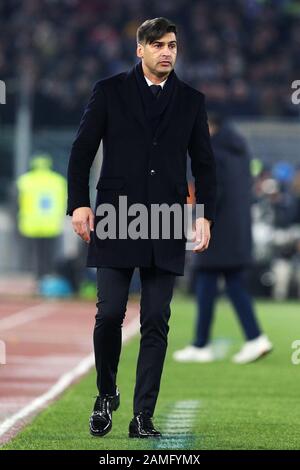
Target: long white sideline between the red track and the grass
[(64, 382)]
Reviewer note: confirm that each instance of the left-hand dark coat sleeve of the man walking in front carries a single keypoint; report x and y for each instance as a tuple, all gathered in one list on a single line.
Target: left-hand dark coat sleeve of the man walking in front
[(84, 149)]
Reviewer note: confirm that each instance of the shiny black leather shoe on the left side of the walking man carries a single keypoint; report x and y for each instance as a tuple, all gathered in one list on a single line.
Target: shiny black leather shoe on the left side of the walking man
[(101, 418)]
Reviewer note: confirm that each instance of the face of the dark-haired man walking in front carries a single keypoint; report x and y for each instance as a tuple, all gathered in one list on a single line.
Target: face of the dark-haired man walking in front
[(159, 56)]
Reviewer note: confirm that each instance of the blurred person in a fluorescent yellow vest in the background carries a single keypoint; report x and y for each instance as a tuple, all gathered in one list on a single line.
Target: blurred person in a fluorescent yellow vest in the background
[(42, 196)]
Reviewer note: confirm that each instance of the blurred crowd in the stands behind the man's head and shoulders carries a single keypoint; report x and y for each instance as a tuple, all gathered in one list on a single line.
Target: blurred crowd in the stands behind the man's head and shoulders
[(241, 53)]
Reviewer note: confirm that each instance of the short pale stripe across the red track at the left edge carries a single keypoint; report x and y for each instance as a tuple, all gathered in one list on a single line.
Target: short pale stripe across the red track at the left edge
[(27, 315)]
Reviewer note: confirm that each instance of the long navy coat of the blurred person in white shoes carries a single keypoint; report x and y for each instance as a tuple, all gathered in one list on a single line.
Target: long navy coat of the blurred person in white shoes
[(233, 217)]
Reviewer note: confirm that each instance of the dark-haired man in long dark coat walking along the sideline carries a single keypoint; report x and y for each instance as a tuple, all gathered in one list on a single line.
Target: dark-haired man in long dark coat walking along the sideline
[(148, 119)]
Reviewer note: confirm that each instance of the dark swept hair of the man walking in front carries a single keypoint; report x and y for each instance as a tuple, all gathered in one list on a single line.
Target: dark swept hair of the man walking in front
[(152, 30)]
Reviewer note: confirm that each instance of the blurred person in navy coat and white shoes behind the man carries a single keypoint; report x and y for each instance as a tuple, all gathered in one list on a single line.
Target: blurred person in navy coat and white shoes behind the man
[(229, 252)]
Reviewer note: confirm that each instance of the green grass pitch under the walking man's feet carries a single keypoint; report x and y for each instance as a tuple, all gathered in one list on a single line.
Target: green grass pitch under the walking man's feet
[(253, 406)]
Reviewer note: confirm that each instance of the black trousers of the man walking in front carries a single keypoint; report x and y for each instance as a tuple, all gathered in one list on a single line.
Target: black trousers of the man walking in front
[(156, 294)]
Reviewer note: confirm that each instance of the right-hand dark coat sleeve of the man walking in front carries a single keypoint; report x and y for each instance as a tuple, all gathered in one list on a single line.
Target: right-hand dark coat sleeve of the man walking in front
[(203, 163)]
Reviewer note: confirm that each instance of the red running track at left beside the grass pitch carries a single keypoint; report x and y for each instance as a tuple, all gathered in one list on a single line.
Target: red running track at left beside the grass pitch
[(48, 347)]
